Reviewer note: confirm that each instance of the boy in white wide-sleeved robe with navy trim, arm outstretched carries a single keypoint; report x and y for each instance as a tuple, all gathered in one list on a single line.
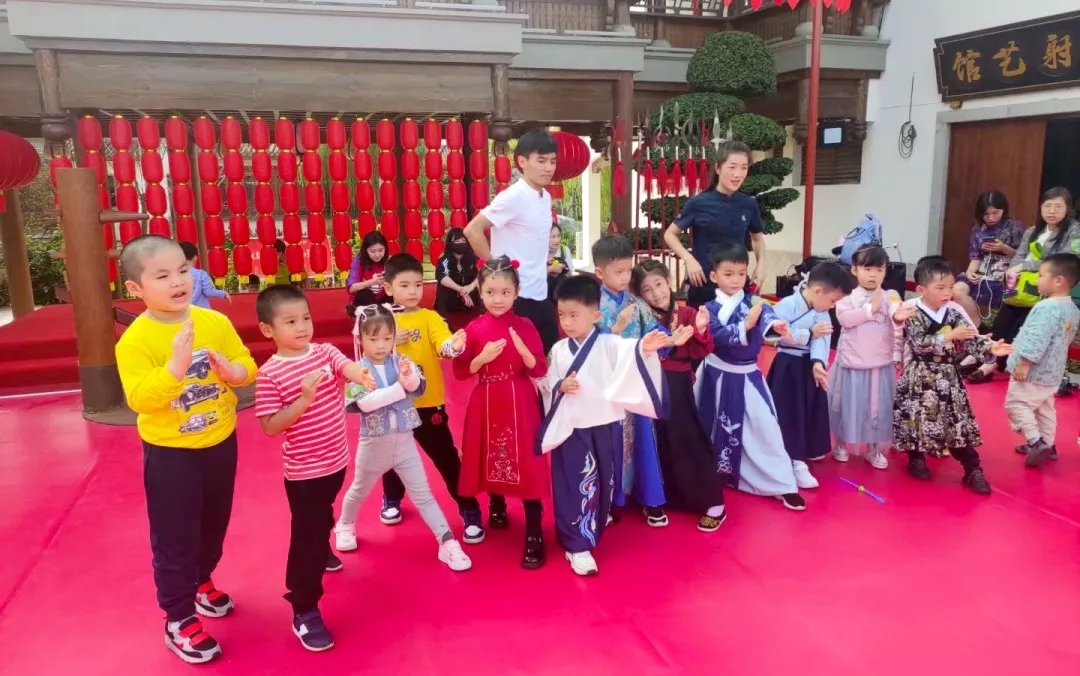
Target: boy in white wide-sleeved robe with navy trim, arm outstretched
[(593, 380)]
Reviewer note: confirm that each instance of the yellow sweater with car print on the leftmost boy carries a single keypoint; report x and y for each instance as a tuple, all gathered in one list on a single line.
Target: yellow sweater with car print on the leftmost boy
[(198, 412)]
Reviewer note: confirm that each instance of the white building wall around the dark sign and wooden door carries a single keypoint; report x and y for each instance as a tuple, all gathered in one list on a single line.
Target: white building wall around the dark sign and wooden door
[(895, 190)]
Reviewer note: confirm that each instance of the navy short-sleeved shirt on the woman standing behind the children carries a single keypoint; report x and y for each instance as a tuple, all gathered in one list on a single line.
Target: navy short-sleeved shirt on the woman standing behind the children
[(714, 218)]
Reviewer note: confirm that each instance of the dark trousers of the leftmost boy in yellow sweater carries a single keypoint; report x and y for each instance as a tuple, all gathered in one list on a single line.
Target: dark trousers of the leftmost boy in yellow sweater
[(190, 504)]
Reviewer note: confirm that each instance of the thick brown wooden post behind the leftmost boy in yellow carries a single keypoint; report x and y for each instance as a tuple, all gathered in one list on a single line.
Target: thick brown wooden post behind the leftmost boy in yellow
[(89, 285)]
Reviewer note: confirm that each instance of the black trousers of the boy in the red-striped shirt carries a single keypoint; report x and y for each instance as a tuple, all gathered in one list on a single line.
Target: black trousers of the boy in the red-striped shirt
[(312, 505)]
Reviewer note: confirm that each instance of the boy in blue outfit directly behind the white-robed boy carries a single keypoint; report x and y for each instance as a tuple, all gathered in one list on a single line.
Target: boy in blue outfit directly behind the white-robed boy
[(624, 315)]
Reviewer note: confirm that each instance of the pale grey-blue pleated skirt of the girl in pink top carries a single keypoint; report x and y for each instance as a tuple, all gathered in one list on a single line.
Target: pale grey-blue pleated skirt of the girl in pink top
[(860, 404)]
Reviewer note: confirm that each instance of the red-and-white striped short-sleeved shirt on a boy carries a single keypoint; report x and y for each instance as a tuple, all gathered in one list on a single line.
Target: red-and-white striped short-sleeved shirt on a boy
[(316, 445)]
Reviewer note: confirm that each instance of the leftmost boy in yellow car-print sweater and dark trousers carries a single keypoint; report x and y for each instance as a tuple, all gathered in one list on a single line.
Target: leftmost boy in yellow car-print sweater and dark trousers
[(179, 366)]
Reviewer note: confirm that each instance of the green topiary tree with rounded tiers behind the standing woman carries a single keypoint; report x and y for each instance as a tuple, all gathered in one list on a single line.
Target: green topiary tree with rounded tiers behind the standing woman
[(727, 69)]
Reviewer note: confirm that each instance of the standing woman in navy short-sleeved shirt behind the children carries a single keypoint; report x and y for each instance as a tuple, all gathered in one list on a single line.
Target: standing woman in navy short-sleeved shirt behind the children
[(721, 215)]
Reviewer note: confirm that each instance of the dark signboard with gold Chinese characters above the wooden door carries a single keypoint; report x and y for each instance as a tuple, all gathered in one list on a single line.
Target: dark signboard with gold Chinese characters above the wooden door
[(1019, 58)]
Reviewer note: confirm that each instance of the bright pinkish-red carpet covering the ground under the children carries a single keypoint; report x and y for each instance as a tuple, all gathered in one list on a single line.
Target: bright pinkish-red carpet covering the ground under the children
[(935, 582)]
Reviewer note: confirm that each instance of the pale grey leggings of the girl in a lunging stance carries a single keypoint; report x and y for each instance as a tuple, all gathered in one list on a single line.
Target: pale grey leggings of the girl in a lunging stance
[(379, 455)]
